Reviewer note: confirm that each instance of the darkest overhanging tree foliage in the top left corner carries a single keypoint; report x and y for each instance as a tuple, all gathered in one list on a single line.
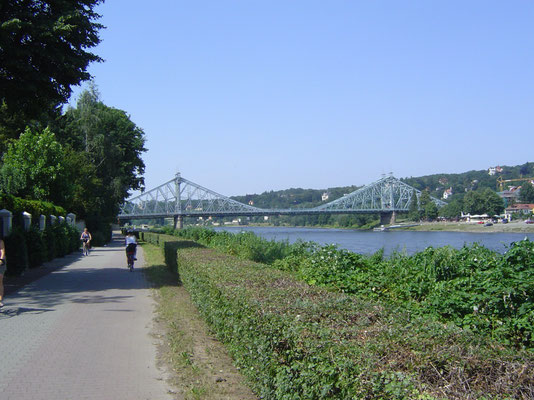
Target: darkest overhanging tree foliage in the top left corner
[(43, 53)]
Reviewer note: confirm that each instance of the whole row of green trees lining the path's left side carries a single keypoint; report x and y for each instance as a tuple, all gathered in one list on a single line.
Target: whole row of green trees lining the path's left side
[(85, 159)]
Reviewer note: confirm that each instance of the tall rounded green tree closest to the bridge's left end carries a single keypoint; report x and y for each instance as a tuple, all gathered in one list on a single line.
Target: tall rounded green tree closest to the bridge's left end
[(111, 146)]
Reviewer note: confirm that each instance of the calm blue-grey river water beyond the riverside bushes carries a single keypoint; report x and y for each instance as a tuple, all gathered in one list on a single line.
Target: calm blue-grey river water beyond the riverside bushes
[(367, 242)]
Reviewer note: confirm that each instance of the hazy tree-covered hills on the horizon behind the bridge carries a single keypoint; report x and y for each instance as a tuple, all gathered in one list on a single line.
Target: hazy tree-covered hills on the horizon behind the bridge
[(436, 184)]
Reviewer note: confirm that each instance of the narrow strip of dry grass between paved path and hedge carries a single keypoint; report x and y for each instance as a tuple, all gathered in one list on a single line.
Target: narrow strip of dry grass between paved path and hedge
[(200, 366)]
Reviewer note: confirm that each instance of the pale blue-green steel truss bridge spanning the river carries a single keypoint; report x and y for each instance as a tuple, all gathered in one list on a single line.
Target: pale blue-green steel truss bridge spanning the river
[(179, 198)]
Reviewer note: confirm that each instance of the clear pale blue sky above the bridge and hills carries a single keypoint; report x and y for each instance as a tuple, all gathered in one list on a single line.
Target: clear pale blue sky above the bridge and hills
[(248, 96)]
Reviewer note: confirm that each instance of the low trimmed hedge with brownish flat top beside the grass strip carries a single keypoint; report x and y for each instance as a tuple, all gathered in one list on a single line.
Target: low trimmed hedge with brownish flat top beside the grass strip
[(295, 341)]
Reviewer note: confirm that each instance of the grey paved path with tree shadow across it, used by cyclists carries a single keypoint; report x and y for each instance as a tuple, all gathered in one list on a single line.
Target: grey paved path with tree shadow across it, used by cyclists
[(81, 332)]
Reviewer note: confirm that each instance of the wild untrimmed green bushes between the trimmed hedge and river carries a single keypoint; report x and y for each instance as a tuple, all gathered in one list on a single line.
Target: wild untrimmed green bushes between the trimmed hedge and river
[(477, 289)]
